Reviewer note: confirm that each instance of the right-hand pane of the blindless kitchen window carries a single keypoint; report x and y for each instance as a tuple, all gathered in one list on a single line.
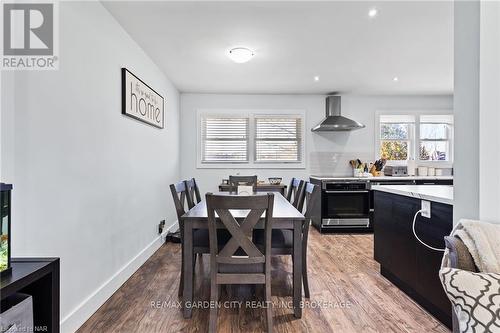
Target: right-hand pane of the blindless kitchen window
[(435, 134)]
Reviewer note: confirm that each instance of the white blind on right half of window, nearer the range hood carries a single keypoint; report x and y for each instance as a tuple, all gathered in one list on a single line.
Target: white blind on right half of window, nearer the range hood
[(278, 139)]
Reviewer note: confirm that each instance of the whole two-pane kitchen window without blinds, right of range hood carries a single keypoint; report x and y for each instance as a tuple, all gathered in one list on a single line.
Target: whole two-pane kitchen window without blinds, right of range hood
[(423, 137)]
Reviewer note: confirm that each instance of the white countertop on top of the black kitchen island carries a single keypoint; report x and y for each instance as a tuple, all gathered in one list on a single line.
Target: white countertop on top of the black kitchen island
[(435, 193)]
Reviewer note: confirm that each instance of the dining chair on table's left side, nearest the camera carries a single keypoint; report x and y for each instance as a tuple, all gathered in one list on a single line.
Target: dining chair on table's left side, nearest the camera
[(201, 245)]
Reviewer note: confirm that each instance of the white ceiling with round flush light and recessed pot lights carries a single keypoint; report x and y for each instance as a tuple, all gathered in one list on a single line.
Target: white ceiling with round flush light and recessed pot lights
[(295, 41)]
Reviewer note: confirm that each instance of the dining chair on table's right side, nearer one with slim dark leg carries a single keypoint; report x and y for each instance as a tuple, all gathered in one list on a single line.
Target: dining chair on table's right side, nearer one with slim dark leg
[(282, 239)]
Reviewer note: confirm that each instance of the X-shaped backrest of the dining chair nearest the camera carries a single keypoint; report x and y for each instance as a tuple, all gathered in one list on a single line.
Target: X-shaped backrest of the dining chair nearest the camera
[(241, 231)]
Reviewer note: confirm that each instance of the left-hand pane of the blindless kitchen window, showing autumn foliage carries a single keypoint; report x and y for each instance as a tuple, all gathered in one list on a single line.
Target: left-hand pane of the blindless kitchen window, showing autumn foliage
[(395, 137)]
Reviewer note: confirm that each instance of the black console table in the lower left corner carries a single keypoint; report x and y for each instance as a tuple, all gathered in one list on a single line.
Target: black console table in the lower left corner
[(38, 277)]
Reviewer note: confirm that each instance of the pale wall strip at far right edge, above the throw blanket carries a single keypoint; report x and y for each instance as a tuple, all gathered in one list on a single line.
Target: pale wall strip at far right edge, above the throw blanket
[(489, 209)]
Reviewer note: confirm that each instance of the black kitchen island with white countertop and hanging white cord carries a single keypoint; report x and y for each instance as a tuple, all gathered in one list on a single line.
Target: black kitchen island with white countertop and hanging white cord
[(406, 262)]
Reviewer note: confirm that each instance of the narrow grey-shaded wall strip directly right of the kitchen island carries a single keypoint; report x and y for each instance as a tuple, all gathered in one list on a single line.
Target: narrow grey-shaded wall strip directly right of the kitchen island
[(466, 110)]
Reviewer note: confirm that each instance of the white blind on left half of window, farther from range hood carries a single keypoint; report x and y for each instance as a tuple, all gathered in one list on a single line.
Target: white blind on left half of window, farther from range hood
[(224, 139)]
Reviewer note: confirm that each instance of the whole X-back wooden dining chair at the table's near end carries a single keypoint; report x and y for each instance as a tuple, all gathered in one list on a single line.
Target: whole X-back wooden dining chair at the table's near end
[(240, 261)]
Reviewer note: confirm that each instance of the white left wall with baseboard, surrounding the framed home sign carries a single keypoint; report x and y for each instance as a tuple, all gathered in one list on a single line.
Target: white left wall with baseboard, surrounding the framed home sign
[(90, 185)]
